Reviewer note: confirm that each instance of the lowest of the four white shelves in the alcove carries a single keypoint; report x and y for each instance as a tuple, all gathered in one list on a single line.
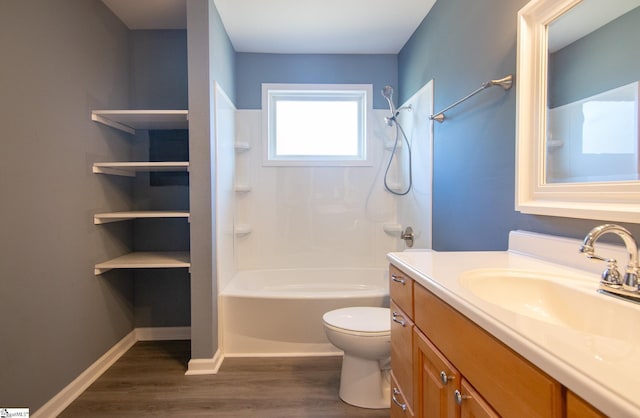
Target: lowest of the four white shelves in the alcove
[(136, 260)]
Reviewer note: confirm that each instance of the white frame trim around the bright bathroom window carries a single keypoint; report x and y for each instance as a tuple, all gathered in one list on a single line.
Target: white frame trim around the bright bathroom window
[(326, 160)]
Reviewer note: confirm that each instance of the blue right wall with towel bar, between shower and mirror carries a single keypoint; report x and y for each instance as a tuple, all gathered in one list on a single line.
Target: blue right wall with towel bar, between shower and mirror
[(461, 44)]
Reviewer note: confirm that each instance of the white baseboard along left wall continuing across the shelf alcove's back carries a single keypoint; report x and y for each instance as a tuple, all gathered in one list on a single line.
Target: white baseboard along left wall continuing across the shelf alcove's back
[(63, 399)]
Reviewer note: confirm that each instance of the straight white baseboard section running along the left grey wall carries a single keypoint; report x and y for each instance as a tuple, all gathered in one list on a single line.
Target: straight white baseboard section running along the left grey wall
[(58, 403)]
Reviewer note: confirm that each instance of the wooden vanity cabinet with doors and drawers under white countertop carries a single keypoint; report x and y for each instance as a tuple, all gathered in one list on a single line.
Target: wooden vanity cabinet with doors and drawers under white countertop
[(460, 370)]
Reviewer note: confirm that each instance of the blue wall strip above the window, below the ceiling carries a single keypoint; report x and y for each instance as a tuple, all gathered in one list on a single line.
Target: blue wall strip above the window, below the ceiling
[(253, 69)]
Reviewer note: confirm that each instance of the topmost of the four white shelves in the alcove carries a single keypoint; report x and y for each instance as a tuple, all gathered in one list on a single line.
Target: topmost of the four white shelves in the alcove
[(130, 120)]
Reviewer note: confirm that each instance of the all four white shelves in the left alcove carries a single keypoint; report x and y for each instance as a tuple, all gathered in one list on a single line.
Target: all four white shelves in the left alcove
[(129, 121)]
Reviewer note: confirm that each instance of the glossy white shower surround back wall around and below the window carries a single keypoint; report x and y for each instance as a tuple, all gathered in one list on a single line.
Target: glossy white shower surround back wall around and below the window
[(311, 216)]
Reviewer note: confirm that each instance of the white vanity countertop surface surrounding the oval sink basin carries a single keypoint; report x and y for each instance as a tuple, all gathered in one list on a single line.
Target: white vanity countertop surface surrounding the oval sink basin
[(604, 371)]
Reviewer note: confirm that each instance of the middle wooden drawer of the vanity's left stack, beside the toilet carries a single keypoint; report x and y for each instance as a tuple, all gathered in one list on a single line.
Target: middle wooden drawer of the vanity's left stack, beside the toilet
[(402, 351)]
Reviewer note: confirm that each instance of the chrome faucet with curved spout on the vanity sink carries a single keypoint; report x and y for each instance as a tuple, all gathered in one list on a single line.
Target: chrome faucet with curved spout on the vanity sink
[(611, 280)]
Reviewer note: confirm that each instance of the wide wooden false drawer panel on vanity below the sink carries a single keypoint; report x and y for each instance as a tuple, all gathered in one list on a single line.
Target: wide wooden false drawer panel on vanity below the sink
[(508, 382)]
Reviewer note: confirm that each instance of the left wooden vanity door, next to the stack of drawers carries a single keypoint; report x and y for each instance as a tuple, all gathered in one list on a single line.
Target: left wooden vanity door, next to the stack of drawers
[(436, 381)]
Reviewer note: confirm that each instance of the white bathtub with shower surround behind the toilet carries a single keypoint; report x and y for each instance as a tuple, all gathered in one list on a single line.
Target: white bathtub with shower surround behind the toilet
[(279, 277)]
